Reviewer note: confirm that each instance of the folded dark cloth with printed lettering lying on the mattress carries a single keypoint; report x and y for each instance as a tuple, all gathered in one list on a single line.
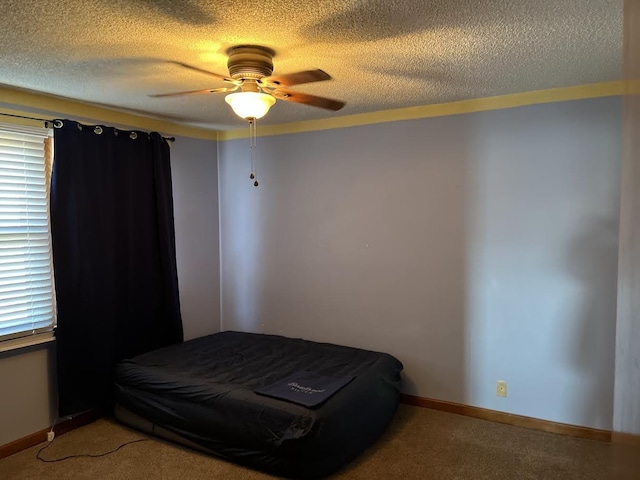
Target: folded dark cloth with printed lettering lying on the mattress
[(305, 388)]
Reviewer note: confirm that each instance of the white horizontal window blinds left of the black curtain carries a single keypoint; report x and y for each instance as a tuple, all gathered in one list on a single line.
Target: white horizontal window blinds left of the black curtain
[(26, 279)]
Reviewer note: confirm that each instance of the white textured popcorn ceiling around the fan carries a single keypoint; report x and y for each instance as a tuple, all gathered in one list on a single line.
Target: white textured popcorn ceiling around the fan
[(382, 54)]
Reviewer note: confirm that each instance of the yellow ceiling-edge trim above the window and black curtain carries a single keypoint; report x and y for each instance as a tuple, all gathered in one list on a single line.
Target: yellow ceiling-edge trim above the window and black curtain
[(57, 106)]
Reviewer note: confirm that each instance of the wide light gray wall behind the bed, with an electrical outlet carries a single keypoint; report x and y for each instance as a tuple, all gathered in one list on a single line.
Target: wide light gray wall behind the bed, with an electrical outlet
[(475, 248)]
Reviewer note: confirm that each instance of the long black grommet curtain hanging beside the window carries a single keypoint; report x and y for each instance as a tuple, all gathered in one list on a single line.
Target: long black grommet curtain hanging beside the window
[(113, 254)]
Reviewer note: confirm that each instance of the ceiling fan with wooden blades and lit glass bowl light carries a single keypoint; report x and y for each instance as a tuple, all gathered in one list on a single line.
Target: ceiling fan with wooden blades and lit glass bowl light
[(251, 76)]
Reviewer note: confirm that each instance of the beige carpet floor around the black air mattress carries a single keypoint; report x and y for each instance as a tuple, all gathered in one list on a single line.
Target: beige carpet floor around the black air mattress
[(419, 444)]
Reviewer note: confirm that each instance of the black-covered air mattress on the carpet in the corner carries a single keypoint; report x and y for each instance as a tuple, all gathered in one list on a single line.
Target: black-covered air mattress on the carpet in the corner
[(203, 391)]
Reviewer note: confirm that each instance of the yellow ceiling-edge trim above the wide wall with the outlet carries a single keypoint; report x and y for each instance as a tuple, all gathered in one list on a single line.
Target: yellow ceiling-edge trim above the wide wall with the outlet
[(563, 94)]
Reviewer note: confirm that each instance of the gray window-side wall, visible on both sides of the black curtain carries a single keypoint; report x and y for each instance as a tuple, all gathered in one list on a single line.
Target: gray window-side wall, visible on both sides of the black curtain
[(27, 382)]
